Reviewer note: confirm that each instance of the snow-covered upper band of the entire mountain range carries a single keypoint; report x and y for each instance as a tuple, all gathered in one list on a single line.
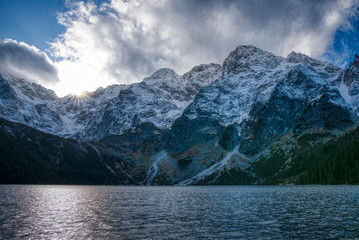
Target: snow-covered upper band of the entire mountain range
[(228, 94)]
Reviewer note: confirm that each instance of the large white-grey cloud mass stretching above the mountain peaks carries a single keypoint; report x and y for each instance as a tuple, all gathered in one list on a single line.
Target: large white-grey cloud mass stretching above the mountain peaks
[(124, 41)]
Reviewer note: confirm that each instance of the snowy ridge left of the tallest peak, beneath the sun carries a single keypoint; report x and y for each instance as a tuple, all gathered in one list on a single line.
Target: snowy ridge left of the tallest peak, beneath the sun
[(160, 99)]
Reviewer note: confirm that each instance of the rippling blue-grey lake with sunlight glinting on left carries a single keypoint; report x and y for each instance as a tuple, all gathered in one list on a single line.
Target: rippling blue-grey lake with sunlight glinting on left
[(211, 212)]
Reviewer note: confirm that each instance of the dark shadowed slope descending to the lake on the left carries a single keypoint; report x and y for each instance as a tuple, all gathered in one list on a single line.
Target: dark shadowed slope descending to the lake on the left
[(30, 156)]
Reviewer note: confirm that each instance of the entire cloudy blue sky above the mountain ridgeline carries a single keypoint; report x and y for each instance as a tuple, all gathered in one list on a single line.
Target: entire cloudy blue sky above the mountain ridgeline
[(75, 46)]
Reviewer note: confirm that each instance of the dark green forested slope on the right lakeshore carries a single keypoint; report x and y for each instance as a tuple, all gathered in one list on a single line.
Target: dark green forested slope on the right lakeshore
[(313, 160)]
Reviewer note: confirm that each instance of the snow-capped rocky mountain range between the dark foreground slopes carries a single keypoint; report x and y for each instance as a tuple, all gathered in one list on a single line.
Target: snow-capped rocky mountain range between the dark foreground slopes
[(240, 122)]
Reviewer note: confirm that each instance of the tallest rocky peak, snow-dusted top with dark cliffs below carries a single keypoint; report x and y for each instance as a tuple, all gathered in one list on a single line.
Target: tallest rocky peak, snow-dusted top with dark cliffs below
[(263, 96)]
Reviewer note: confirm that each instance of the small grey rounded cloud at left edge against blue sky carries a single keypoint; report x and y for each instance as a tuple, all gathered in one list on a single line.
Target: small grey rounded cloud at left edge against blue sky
[(24, 61)]
